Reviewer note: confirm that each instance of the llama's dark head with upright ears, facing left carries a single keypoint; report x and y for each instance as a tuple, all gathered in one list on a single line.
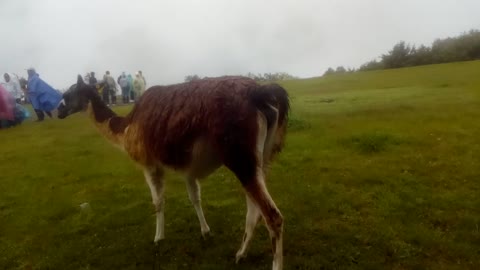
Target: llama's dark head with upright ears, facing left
[(76, 98)]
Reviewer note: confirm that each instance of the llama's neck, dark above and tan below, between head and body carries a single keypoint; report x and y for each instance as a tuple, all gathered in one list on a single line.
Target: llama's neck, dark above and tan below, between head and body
[(107, 122)]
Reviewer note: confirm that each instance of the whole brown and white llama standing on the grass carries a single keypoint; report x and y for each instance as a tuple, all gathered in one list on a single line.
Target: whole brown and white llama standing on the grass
[(195, 128)]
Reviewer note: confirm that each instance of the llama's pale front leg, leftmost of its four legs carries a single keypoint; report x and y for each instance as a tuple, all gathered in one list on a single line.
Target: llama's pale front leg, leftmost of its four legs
[(154, 178)]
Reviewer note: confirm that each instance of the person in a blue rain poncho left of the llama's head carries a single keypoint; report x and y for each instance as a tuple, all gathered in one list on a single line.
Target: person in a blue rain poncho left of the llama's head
[(42, 96)]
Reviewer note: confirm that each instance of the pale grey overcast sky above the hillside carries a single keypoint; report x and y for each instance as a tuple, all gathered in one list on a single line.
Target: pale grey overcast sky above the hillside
[(168, 40)]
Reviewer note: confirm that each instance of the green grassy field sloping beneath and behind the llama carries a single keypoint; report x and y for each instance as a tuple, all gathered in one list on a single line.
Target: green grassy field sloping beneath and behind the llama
[(380, 171)]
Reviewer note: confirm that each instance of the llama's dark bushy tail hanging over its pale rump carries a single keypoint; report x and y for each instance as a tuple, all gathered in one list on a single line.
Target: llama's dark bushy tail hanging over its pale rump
[(273, 101)]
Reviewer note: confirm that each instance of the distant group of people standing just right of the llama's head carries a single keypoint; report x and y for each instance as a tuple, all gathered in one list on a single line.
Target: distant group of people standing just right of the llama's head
[(131, 88)]
